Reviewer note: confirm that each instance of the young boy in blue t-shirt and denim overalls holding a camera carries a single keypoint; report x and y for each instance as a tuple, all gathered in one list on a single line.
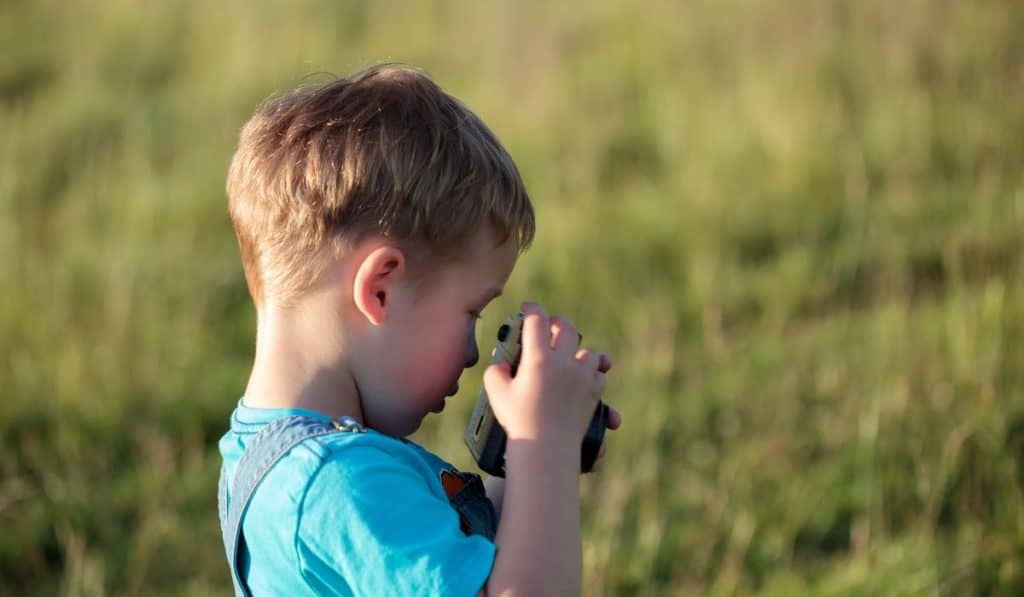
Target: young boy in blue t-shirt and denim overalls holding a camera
[(377, 217)]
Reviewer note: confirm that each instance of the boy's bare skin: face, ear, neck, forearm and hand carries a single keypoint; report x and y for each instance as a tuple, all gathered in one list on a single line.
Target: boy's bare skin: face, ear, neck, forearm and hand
[(377, 344)]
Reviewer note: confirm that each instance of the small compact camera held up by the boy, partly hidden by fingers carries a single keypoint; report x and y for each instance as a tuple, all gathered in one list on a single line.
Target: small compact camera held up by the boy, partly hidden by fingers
[(486, 438)]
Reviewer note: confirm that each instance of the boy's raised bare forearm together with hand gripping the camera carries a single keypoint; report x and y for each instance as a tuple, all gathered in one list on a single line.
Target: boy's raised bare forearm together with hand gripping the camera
[(545, 411)]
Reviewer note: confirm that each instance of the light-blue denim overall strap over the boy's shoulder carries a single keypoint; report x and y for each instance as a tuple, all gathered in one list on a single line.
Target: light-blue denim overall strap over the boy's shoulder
[(270, 445)]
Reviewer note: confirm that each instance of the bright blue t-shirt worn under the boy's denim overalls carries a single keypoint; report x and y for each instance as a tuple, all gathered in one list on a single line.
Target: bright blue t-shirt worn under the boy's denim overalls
[(353, 515)]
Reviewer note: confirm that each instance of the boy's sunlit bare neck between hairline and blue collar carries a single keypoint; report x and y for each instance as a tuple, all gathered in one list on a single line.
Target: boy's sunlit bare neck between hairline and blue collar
[(301, 365)]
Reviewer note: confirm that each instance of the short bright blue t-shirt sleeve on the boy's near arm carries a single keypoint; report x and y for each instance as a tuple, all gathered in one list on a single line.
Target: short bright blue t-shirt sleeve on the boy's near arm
[(369, 521)]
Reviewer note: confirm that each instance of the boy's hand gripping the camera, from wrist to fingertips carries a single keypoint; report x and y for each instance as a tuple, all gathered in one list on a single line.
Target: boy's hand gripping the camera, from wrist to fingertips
[(557, 388)]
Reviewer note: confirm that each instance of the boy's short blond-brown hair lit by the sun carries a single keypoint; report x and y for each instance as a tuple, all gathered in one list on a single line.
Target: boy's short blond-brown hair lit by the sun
[(382, 152)]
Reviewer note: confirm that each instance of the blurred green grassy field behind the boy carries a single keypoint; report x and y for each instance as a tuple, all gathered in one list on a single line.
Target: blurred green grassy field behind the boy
[(795, 226)]
